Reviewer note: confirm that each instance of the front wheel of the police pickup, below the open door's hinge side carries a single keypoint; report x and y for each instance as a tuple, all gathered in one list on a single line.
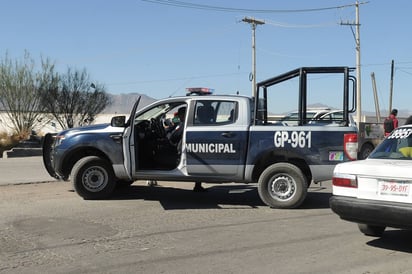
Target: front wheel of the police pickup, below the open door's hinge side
[(93, 178)]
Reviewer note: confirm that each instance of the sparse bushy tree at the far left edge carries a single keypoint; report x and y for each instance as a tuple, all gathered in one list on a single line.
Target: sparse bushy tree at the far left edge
[(19, 92)]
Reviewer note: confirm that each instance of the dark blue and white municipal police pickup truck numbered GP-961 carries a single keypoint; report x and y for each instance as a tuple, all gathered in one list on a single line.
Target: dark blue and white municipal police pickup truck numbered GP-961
[(225, 138)]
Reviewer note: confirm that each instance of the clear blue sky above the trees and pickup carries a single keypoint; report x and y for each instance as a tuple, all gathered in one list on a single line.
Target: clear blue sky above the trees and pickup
[(161, 47)]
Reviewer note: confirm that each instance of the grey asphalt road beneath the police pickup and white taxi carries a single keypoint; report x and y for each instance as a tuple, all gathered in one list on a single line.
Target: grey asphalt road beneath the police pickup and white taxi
[(48, 228)]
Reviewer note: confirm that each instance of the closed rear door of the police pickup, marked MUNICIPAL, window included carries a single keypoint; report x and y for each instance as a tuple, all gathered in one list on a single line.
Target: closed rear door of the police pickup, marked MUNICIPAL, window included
[(215, 139)]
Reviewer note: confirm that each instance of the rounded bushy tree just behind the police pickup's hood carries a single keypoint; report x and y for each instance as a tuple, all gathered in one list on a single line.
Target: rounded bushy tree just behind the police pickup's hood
[(72, 99)]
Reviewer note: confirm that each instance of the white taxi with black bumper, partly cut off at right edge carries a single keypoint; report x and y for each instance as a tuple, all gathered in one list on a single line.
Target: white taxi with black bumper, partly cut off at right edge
[(377, 192)]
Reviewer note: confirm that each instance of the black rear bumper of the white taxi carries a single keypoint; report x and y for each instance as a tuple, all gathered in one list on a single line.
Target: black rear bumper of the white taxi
[(372, 212)]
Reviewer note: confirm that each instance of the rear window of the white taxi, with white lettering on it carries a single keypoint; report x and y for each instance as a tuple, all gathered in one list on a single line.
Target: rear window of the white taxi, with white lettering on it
[(398, 145)]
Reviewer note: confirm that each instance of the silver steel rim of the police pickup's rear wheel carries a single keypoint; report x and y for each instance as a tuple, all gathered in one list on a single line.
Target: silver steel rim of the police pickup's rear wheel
[(282, 187)]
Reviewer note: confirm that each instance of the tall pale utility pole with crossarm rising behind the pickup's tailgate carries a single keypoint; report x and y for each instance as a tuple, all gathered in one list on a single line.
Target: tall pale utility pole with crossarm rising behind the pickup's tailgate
[(358, 63)]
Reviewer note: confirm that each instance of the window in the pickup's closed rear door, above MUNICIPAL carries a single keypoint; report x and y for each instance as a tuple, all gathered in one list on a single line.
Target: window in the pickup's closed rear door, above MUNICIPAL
[(214, 112)]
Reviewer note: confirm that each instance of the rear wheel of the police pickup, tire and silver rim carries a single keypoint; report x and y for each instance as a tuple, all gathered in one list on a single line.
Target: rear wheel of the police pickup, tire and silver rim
[(282, 185)]
